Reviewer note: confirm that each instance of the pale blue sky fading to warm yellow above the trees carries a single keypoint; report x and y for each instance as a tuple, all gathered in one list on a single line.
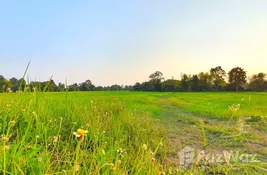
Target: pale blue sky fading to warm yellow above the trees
[(123, 42)]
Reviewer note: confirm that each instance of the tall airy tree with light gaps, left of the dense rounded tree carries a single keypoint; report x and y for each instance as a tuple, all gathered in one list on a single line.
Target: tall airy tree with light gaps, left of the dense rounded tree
[(218, 75)]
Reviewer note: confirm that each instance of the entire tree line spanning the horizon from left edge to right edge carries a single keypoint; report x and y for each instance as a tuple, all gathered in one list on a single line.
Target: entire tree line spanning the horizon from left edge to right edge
[(214, 80)]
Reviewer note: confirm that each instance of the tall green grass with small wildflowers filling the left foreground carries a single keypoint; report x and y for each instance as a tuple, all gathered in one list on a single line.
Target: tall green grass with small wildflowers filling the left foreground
[(37, 137)]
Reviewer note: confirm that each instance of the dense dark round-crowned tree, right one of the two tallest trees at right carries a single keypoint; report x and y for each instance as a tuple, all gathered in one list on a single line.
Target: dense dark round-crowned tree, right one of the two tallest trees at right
[(237, 77)]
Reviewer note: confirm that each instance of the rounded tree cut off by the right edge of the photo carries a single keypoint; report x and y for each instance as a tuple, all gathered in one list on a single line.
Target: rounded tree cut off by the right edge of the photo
[(258, 82)]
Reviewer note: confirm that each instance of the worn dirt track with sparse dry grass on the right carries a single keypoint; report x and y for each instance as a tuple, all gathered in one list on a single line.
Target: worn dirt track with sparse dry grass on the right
[(185, 129)]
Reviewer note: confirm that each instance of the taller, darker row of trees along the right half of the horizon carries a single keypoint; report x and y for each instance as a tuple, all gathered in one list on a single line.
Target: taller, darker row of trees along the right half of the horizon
[(215, 80)]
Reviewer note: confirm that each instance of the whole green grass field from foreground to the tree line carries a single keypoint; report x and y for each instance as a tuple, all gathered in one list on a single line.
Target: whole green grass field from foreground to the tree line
[(131, 132)]
